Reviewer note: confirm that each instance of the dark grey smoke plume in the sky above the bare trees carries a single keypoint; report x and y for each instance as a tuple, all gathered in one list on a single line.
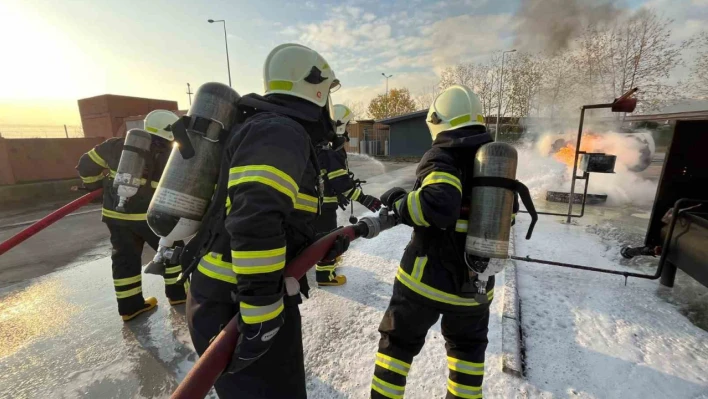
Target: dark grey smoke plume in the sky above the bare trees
[(551, 25)]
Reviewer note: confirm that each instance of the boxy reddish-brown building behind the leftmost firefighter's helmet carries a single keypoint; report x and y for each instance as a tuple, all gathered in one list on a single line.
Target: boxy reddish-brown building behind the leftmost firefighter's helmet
[(103, 116)]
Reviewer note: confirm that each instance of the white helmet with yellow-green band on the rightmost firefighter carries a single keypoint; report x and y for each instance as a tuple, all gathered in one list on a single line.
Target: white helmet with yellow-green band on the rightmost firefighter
[(456, 107)]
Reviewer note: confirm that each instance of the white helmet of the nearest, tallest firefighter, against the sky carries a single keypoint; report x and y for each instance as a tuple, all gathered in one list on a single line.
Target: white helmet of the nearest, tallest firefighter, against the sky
[(299, 71)]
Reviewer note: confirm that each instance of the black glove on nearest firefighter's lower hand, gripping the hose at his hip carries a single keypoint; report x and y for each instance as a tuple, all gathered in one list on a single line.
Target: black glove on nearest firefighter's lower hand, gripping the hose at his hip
[(254, 342)]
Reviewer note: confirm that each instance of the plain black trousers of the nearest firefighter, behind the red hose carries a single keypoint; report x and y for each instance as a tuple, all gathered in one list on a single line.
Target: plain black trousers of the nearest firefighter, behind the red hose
[(279, 374)]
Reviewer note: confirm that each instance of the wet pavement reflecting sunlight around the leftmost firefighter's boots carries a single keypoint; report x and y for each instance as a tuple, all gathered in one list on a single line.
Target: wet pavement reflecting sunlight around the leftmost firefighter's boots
[(60, 332)]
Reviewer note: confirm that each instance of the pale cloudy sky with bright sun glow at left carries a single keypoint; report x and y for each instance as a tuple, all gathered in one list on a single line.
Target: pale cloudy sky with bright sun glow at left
[(55, 52)]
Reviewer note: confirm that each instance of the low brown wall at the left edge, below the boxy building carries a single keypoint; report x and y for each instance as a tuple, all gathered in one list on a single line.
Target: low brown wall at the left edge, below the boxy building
[(32, 160)]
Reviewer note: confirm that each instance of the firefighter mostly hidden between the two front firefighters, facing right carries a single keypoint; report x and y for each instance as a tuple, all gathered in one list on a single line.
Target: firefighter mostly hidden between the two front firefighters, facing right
[(339, 190)]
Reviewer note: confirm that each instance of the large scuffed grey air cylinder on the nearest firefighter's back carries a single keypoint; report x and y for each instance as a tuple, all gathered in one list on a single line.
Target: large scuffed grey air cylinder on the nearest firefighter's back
[(187, 185)]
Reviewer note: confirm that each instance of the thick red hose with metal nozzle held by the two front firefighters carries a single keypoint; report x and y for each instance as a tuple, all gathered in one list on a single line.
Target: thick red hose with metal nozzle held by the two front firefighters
[(217, 356)]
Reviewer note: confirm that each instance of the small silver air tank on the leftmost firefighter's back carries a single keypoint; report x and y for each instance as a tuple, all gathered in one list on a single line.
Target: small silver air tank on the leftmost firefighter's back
[(129, 176)]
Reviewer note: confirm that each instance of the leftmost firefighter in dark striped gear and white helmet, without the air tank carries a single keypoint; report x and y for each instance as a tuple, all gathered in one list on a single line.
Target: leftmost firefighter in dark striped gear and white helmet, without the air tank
[(129, 229)]
